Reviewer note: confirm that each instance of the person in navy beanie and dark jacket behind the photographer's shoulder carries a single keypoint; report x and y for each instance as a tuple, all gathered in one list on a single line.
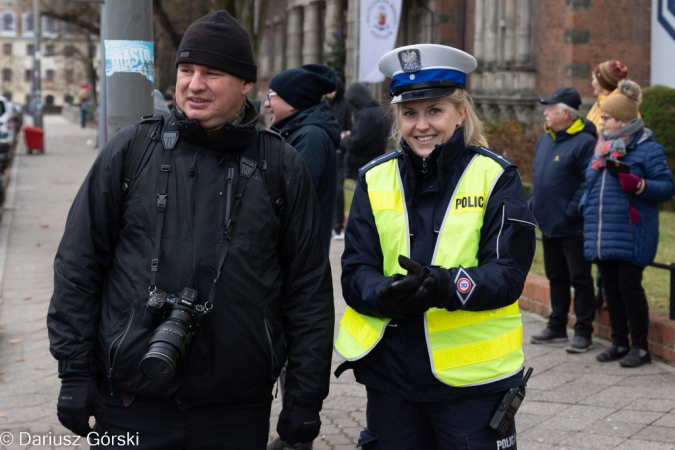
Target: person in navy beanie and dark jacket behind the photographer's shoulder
[(308, 124)]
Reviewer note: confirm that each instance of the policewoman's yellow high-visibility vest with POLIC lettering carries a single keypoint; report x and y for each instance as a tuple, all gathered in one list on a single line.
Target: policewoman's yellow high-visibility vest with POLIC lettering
[(465, 348)]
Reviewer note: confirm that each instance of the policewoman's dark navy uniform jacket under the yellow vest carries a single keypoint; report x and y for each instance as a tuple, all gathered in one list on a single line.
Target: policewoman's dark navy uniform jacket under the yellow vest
[(399, 364)]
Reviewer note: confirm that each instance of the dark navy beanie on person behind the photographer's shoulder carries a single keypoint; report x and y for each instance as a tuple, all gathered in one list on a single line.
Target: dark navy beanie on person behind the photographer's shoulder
[(304, 86)]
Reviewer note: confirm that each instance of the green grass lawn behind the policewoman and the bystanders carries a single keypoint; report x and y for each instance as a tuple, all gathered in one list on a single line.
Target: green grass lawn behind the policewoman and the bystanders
[(656, 281)]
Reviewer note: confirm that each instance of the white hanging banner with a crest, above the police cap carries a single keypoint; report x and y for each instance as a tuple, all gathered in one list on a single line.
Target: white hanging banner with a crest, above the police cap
[(378, 28)]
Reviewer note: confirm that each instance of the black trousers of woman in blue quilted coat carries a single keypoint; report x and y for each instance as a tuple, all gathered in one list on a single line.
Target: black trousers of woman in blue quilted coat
[(626, 303)]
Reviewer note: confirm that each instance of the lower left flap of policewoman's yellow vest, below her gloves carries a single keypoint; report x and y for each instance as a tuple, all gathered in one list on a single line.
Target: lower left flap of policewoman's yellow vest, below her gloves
[(358, 334)]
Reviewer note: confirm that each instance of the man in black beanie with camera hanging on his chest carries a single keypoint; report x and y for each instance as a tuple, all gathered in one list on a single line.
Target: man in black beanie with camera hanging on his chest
[(180, 292)]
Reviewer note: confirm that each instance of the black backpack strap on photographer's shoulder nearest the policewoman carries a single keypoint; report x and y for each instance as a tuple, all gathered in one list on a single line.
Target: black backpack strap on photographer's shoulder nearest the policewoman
[(271, 156)]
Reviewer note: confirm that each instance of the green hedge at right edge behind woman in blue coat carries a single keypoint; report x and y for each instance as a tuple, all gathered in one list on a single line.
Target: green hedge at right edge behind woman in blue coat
[(658, 111)]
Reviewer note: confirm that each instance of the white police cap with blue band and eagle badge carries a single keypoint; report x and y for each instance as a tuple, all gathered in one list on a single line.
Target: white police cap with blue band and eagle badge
[(424, 71)]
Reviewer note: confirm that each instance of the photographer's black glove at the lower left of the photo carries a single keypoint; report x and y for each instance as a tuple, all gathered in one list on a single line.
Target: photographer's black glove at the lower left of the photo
[(78, 400)]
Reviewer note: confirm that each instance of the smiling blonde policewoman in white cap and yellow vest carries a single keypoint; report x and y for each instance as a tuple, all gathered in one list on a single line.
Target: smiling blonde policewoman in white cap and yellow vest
[(437, 247)]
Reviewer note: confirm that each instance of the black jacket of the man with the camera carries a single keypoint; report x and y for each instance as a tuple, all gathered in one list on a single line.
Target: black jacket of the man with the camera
[(274, 296)]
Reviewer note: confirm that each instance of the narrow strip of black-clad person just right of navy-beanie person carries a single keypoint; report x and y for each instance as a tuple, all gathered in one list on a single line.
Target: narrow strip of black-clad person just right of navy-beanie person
[(342, 111)]
